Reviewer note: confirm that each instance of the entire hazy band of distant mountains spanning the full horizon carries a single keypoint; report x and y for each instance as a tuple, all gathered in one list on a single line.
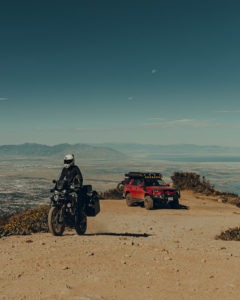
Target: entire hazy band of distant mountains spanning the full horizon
[(124, 151)]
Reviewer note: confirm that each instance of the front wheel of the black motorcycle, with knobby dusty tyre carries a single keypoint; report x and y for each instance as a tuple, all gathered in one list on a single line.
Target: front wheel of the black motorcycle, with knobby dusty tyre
[(56, 227)]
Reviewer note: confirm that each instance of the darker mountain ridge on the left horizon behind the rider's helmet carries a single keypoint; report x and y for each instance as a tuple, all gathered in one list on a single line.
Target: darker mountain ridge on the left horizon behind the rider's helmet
[(82, 151)]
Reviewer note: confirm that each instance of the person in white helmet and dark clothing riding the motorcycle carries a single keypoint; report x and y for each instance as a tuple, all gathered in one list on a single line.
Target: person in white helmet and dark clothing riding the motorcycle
[(73, 176)]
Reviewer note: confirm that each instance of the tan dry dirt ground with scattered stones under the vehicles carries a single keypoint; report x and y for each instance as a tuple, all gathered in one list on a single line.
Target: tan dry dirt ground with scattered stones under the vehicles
[(129, 253)]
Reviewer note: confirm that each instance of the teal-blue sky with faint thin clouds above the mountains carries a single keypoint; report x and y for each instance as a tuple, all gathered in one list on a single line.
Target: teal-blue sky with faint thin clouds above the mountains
[(90, 71)]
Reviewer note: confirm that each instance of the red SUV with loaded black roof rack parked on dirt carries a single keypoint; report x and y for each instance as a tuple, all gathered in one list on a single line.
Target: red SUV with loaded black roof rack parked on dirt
[(148, 189)]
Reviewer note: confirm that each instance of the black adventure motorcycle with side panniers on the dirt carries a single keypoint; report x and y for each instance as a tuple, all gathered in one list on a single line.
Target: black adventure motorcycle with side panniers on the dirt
[(70, 207)]
